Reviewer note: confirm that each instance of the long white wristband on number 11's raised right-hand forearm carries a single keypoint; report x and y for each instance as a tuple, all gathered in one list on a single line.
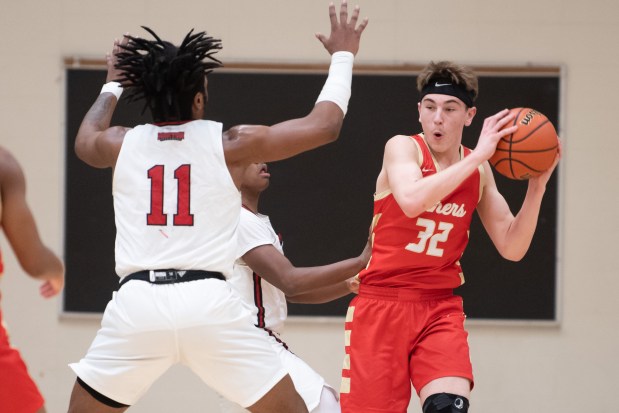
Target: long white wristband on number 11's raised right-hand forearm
[(337, 85)]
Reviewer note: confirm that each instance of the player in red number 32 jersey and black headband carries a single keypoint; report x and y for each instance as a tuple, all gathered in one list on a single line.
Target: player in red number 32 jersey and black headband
[(406, 325)]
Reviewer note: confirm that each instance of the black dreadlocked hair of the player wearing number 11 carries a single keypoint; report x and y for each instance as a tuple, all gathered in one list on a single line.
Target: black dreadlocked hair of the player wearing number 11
[(167, 77)]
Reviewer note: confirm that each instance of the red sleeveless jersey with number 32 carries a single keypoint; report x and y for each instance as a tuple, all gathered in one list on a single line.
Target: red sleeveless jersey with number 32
[(422, 252)]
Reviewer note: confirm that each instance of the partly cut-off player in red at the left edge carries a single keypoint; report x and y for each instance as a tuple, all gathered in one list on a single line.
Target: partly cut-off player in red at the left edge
[(18, 392)]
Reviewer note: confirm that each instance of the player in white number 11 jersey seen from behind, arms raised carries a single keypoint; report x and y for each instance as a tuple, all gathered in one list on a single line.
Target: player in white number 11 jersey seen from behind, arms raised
[(177, 205)]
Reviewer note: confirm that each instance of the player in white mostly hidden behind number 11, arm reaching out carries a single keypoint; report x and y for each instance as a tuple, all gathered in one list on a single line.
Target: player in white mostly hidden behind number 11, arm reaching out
[(264, 278)]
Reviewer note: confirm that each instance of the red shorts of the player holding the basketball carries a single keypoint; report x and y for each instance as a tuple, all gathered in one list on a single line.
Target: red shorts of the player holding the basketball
[(396, 337)]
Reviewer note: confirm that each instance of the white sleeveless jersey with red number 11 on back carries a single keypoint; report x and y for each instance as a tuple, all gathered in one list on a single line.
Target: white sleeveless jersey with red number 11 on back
[(176, 205)]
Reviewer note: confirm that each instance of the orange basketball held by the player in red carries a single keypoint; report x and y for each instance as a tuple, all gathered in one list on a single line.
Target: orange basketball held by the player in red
[(530, 150)]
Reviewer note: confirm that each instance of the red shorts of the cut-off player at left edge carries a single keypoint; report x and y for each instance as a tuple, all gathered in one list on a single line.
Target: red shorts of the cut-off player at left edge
[(18, 393)]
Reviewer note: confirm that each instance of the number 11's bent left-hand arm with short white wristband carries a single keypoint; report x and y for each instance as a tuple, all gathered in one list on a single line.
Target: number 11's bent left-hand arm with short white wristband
[(97, 143)]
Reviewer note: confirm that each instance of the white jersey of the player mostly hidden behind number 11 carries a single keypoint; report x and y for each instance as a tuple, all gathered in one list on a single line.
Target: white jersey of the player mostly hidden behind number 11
[(267, 302)]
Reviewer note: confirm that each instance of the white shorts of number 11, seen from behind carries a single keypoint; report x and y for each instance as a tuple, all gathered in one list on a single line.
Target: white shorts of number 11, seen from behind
[(146, 328)]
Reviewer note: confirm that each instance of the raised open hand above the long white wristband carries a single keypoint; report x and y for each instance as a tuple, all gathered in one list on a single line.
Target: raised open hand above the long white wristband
[(345, 34)]
